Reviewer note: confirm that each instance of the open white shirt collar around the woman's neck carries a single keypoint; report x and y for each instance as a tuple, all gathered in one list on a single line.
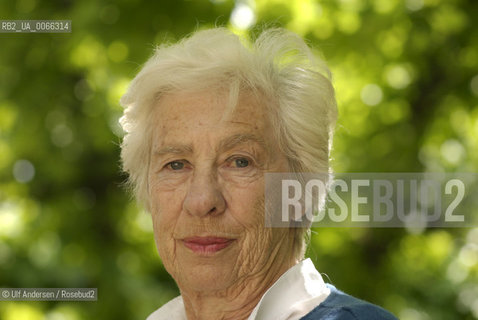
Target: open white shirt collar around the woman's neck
[(292, 296)]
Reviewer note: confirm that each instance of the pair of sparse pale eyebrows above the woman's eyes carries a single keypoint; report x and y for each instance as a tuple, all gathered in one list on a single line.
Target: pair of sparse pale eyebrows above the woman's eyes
[(225, 144)]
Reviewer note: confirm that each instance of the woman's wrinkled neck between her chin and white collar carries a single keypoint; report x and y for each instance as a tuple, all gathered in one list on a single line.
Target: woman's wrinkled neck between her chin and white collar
[(239, 300)]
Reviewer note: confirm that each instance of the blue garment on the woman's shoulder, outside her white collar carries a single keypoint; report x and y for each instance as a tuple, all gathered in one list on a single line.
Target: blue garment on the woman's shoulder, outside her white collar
[(341, 306)]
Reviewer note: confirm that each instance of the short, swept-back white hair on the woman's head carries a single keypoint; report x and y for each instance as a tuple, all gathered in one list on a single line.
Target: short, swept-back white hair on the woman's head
[(295, 85)]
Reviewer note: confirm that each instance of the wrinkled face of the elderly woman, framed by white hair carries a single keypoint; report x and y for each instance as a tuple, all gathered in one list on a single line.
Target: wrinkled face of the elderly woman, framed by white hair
[(206, 185)]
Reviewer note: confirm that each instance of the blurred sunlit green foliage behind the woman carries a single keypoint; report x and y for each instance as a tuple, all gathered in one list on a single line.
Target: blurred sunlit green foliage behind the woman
[(406, 74)]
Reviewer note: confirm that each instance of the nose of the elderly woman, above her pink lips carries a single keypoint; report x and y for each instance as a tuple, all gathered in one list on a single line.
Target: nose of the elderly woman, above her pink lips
[(204, 196)]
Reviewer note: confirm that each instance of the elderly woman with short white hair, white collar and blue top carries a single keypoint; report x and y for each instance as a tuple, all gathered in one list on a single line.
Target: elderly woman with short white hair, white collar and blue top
[(205, 120)]
